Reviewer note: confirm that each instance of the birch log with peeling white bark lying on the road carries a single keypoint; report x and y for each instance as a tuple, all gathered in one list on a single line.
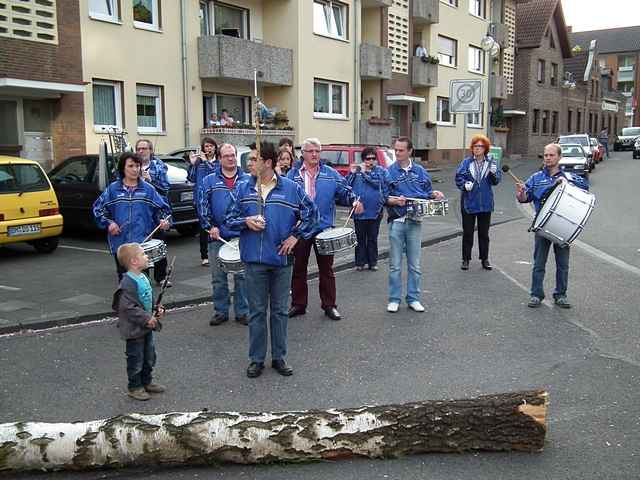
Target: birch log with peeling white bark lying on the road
[(502, 422)]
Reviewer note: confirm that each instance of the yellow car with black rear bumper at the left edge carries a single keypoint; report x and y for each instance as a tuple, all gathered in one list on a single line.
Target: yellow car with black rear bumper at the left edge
[(29, 210)]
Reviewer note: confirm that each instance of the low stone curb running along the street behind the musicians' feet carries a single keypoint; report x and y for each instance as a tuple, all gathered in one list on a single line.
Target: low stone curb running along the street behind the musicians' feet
[(92, 317)]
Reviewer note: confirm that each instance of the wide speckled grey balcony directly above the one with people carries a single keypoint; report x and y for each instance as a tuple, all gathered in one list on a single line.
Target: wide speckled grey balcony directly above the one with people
[(221, 56)]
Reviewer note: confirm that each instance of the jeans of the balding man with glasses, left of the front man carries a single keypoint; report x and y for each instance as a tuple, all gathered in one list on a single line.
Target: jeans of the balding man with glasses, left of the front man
[(220, 286)]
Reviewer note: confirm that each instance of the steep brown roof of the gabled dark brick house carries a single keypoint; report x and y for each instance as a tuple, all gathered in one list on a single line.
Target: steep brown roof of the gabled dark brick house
[(532, 19)]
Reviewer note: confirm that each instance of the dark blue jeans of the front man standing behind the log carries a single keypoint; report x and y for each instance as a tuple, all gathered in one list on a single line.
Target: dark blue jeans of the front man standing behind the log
[(268, 287)]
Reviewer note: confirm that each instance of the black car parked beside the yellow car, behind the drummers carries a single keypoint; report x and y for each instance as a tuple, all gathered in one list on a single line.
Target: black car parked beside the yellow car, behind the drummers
[(75, 181)]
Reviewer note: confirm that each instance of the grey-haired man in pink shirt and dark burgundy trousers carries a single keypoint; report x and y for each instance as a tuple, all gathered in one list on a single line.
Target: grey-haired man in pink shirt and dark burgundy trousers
[(325, 186)]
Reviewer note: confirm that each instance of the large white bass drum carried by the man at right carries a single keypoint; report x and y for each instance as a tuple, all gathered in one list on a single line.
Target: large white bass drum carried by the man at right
[(564, 214)]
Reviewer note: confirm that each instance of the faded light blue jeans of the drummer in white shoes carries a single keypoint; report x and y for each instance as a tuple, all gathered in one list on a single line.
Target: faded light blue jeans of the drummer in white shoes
[(405, 238)]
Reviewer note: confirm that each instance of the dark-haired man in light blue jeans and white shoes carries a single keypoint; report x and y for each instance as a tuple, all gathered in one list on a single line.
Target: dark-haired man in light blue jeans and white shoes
[(406, 179)]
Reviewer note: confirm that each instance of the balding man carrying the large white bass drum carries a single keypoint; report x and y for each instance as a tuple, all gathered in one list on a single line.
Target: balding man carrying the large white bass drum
[(534, 190)]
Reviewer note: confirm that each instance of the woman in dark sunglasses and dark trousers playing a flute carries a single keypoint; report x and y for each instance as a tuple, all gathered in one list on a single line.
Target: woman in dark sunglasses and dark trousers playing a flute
[(368, 183)]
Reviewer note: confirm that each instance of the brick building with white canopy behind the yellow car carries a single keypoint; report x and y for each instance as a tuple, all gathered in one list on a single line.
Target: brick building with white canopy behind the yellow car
[(41, 100)]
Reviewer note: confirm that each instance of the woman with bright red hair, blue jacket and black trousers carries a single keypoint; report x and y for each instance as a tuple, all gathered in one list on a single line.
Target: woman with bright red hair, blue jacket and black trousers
[(476, 176)]
